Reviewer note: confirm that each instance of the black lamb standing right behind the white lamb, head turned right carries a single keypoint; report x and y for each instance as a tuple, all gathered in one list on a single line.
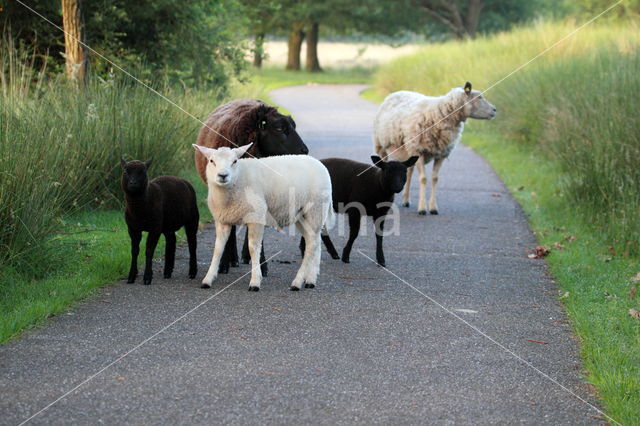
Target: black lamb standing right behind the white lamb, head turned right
[(359, 190)]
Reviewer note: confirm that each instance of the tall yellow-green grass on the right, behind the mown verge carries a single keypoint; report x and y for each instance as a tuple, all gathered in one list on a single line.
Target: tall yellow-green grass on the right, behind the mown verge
[(575, 104)]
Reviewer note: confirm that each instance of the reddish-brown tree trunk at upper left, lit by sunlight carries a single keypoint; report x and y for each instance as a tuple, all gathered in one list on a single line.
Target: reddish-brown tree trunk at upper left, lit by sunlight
[(76, 55)]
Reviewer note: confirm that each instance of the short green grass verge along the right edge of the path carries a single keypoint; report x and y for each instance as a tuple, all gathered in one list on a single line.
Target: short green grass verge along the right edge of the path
[(594, 284)]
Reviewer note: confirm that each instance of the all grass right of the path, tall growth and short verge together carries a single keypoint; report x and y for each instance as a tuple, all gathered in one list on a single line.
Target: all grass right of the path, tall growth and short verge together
[(566, 144)]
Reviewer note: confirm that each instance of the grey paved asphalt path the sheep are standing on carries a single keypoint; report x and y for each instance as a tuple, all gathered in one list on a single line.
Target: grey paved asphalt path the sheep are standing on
[(363, 347)]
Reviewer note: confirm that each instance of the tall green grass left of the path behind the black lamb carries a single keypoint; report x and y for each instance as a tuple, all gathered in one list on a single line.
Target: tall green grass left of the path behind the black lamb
[(60, 147)]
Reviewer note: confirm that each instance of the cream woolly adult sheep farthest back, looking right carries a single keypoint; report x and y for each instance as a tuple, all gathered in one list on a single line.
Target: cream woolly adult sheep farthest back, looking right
[(410, 123)]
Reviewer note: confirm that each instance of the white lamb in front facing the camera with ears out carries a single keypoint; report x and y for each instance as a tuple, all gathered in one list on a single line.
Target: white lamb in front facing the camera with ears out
[(272, 191)]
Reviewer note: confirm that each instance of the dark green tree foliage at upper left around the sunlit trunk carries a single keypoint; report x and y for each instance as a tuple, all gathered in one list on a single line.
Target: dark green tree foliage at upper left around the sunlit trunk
[(197, 43)]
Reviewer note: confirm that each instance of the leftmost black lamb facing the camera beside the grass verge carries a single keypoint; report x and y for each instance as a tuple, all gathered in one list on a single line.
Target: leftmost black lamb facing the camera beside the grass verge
[(161, 206)]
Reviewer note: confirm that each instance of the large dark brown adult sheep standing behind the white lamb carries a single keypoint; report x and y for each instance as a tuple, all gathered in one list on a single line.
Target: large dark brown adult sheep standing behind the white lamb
[(241, 122)]
